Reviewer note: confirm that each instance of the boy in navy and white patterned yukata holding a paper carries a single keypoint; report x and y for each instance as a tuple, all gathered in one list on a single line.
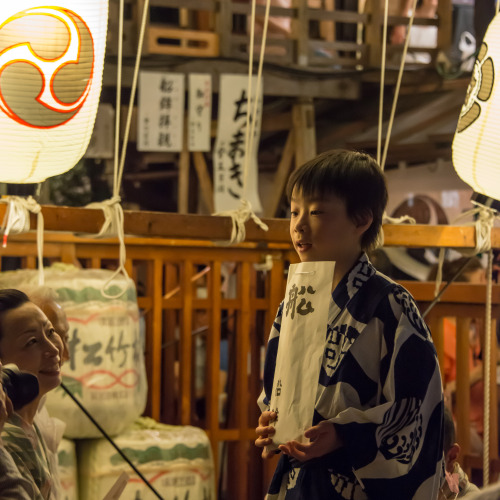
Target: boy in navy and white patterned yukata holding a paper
[(377, 423)]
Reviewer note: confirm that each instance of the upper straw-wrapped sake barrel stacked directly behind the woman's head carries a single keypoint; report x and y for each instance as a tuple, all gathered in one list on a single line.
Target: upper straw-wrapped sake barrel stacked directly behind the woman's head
[(106, 371)]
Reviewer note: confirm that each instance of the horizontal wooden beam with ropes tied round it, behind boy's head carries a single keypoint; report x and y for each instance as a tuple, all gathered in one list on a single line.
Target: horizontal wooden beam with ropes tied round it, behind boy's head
[(207, 227)]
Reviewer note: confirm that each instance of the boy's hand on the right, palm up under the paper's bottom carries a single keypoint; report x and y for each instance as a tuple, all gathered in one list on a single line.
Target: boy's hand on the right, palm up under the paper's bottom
[(324, 439)]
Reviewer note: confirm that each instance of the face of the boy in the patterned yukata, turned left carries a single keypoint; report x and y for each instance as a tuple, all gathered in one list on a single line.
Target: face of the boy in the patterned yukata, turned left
[(321, 229)]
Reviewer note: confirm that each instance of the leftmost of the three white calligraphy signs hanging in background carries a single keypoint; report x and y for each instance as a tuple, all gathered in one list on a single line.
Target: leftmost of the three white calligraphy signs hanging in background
[(161, 112)]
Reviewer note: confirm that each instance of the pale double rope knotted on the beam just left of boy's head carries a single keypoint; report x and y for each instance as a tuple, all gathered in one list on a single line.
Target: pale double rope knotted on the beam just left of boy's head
[(240, 216)]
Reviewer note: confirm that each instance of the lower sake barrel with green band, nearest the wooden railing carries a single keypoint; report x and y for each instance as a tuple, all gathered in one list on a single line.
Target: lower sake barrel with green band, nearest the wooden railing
[(176, 460)]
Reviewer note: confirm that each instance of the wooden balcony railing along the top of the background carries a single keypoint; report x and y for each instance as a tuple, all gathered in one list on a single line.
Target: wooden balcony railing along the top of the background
[(317, 34)]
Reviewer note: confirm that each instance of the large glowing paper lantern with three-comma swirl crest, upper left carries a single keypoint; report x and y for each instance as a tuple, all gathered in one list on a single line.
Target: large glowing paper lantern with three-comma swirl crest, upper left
[(51, 62)]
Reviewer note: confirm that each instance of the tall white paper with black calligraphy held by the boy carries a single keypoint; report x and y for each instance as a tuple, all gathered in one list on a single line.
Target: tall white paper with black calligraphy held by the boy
[(304, 324)]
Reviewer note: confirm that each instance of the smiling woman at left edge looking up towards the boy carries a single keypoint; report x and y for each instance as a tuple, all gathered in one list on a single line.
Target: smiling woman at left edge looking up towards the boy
[(28, 339)]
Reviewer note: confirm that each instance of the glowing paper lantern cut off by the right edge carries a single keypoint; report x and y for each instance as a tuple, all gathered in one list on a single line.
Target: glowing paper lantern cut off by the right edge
[(476, 146)]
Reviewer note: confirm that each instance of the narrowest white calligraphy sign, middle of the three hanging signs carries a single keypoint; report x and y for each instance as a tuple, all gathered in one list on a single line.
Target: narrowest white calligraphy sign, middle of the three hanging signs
[(200, 111)]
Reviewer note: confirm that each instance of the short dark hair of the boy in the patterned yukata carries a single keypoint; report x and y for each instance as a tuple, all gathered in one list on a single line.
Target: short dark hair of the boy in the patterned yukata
[(353, 177)]
